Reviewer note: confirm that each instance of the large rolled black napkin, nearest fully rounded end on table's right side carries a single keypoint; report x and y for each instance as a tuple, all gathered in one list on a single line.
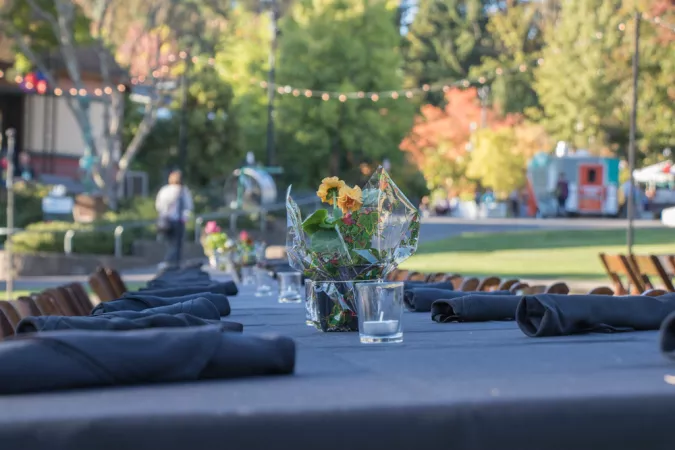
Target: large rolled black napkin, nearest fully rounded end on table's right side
[(559, 315)]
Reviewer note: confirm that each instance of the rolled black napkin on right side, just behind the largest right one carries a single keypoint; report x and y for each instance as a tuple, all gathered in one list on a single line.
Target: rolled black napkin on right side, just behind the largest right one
[(476, 307)]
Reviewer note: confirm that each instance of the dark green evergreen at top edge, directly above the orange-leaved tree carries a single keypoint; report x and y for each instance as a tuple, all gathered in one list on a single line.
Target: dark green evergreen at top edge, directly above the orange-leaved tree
[(446, 39)]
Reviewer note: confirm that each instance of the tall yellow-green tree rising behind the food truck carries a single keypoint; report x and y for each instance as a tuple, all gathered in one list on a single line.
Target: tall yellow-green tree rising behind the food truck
[(574, 83)]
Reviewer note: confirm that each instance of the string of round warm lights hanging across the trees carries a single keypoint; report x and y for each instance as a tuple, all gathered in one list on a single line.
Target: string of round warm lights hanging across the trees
[(36, 84)]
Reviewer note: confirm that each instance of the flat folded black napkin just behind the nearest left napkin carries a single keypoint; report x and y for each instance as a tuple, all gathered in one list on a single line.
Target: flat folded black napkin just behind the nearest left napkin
[(105, 322)]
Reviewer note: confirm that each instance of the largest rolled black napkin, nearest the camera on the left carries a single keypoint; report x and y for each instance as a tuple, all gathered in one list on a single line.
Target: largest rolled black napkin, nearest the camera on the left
[(83, 358)]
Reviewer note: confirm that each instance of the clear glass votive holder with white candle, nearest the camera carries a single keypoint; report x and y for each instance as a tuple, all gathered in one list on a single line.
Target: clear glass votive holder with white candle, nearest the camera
[(380, 310)]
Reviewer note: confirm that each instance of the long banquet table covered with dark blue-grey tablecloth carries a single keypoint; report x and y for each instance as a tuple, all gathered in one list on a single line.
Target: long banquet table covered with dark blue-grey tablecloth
[(448, 386)]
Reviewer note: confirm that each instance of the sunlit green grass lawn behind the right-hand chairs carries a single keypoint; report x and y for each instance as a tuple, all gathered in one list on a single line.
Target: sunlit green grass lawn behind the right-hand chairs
[(565, 255)]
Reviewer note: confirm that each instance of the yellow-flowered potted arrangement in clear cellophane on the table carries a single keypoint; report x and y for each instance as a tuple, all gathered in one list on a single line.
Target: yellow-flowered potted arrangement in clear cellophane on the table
[(365, 234)]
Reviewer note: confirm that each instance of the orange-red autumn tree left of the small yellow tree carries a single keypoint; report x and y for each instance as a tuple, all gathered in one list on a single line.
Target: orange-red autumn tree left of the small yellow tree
[(441, 139)]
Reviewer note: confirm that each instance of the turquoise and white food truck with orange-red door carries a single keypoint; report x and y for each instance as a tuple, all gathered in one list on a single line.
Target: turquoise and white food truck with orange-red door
[(593, 184)]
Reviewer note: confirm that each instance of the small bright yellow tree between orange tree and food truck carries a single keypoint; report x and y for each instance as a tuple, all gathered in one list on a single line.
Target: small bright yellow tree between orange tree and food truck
[(496, 160)]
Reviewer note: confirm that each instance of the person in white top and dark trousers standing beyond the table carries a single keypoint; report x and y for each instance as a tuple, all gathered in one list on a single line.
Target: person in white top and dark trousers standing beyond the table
[(174, 206)]
